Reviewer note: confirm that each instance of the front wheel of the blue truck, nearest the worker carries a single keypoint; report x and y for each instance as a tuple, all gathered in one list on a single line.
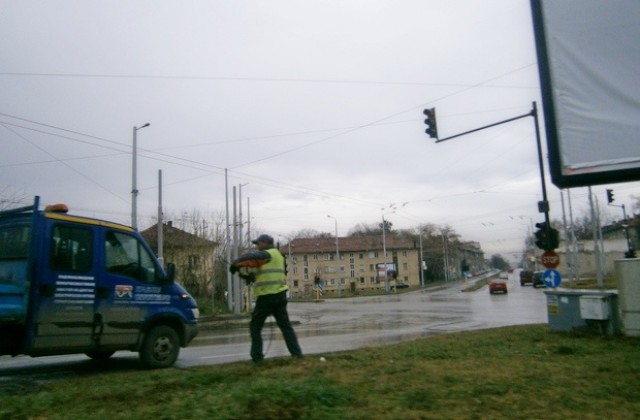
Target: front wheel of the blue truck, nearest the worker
[(160, 348)]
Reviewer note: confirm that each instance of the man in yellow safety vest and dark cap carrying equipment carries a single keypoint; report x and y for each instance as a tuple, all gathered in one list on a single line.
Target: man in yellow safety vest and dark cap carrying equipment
[(269, 270)]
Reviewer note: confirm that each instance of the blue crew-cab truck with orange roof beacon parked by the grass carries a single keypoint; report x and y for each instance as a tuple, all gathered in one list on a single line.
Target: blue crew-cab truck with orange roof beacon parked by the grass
[(71, 284)]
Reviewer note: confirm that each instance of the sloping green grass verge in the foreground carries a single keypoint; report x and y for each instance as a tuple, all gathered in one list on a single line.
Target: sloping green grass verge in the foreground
[(522, 372)]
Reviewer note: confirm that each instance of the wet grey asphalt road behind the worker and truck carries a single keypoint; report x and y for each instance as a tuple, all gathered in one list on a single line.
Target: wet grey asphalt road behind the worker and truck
[(328, 326)]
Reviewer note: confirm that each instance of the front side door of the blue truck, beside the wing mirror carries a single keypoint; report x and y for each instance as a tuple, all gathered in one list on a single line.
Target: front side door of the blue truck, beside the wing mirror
[(128, 291)]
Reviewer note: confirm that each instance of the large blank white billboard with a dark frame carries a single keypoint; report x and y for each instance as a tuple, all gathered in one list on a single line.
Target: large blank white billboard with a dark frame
[(589, 63)]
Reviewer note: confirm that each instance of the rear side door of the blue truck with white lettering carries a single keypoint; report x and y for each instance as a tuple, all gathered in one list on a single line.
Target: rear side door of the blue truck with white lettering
[(64, 304)]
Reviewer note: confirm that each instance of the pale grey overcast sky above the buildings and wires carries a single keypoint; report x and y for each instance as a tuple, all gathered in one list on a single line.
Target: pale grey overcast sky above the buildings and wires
[(315, 106)]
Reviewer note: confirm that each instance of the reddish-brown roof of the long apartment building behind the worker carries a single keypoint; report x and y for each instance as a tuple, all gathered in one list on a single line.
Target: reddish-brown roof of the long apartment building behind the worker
[(348, 244)]
